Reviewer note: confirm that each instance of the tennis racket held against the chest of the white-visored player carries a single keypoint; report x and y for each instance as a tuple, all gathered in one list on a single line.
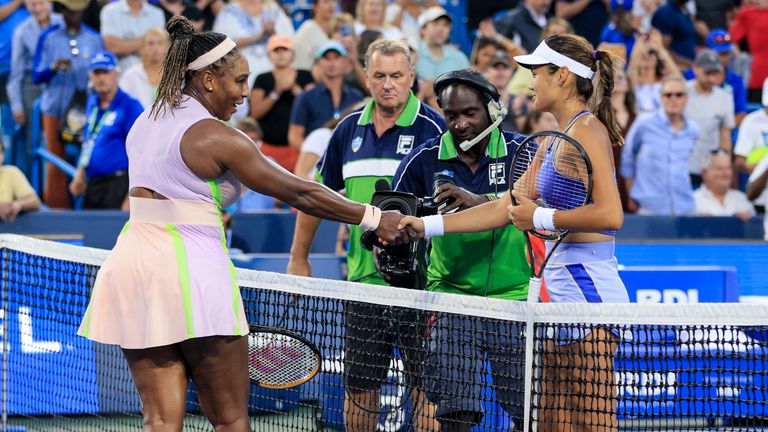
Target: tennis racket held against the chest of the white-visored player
[(554, 171)]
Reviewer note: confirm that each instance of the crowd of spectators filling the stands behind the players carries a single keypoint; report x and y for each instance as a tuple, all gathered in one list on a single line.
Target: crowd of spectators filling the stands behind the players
[(691, 94)]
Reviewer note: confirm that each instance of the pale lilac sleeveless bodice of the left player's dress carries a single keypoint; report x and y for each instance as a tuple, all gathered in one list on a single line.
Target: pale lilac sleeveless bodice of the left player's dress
[(155, 162)]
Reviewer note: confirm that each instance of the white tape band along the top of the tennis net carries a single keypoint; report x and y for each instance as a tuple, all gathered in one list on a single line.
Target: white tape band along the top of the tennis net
[(594, 313)]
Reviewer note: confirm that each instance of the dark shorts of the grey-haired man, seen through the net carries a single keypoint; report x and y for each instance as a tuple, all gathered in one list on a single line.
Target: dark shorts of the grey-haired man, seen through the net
[(372, 333)]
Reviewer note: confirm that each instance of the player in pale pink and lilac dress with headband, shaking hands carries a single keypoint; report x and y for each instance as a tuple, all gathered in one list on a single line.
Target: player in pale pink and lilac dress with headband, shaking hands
[(167, 293)]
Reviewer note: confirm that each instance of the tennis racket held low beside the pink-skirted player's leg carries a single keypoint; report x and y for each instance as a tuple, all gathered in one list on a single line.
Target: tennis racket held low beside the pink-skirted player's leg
[(279, 358)]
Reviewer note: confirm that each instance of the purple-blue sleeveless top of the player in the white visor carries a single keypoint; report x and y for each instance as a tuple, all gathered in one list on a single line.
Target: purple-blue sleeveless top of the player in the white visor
[(548, 174)]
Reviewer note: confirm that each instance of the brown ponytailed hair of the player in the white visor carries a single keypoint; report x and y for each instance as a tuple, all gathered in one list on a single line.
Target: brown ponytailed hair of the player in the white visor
[(578, 49)]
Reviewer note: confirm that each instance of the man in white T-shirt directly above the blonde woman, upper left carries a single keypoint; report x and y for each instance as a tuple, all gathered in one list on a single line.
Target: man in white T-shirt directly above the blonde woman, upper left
[(123, 24)]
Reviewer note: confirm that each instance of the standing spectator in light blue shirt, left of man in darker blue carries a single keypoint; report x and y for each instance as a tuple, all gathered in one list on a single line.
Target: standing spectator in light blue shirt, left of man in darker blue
[(22, 92)]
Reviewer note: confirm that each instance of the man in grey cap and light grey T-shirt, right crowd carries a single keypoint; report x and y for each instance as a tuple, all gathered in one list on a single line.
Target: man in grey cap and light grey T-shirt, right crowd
[(711, 108)]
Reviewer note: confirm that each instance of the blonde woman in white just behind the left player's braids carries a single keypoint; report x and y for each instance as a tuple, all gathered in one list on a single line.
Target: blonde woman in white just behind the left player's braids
[(141, 80)]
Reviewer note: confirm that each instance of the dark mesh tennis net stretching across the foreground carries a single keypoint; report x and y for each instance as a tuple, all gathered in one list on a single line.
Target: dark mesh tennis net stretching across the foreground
[(401, 358)]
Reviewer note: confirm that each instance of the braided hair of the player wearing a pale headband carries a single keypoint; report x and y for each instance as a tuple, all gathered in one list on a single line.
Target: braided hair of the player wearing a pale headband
[(186, 46)]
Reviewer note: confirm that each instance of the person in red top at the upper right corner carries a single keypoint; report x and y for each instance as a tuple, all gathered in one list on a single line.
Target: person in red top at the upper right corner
[(750, 27)]
